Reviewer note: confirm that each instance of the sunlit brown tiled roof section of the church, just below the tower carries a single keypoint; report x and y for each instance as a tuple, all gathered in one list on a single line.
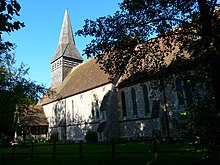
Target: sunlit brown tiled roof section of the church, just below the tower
[(84, 77)]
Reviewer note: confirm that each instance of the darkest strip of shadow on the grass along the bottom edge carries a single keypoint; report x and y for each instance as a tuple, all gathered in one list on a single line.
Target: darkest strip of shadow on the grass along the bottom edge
[(164, 159)]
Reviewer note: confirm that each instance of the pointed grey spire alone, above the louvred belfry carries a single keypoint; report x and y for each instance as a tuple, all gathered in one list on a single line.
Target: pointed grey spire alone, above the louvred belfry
[(66, 45)]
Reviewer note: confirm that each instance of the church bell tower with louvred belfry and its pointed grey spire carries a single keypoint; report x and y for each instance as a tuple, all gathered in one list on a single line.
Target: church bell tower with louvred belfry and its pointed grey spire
[(66, 55)]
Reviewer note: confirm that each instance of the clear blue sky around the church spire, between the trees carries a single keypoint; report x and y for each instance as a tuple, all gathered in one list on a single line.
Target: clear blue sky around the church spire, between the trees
[(37, 42)]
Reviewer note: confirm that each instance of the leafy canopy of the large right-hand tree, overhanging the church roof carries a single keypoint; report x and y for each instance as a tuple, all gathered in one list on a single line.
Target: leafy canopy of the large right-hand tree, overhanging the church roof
[(175, 23)]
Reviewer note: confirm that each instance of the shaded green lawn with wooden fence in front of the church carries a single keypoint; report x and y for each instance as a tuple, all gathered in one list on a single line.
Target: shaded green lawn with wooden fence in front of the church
[(125, 154)]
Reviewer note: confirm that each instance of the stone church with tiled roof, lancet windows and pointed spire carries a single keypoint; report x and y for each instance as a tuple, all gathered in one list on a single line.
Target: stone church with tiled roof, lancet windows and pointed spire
[(83, 99)]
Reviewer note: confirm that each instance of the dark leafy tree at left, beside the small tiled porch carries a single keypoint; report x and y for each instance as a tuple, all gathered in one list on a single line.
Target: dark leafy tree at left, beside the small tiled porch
[(16, 93)]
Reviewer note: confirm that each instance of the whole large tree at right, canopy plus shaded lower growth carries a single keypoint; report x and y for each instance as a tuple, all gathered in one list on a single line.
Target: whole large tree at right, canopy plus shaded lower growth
[(163, 37)]
